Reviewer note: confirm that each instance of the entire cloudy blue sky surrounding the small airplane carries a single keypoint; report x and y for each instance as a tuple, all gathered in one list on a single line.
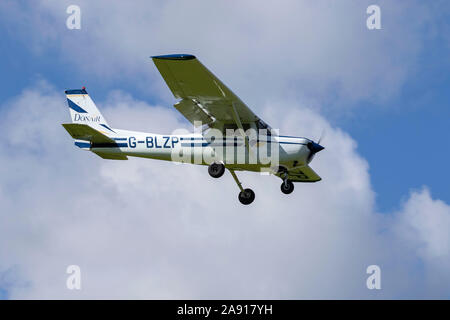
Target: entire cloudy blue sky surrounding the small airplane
[(149, 229)]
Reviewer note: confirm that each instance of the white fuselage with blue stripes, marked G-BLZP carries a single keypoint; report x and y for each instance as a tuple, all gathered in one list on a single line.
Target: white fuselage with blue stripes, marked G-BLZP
[(261, 152)]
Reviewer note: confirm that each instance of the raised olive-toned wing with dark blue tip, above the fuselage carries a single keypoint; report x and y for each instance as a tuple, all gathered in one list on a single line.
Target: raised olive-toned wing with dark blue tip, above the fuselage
[(203, 96)]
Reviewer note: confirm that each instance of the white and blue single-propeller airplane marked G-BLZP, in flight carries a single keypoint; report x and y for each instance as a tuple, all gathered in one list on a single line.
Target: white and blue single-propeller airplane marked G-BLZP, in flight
[(227, 135)]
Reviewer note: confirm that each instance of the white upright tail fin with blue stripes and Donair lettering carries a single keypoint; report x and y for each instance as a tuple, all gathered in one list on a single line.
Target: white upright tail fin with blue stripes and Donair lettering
[(83, 110)]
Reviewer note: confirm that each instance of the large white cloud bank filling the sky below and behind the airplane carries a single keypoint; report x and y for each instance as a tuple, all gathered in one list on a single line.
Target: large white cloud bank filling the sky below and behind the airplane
[(150, 229)]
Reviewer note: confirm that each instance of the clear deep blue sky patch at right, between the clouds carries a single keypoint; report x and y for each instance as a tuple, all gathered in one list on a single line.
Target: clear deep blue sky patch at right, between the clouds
[(405, 140)]
